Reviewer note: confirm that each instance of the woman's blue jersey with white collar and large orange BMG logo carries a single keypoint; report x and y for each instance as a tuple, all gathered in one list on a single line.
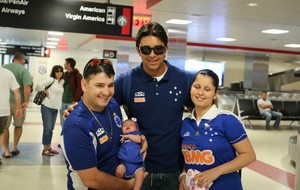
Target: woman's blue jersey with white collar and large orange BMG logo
[(209, 144)]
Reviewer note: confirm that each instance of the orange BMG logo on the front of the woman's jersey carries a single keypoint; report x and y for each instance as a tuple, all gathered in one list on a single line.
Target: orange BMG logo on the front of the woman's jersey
[(198, 157)]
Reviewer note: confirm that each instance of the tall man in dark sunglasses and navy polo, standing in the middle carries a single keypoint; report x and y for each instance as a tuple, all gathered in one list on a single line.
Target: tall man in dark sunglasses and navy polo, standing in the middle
[(157, 95)]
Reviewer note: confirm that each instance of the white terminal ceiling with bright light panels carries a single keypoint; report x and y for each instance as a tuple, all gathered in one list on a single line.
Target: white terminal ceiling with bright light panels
[(211, 19)]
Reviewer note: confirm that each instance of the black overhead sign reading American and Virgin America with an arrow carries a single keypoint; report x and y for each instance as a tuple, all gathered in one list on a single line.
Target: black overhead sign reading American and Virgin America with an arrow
[(67, 16)]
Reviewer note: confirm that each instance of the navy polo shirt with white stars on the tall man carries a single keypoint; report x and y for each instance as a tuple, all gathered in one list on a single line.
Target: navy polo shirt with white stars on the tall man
[(158, 107)]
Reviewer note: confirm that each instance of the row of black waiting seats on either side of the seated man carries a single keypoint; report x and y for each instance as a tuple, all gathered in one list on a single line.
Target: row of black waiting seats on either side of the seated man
[(247, 110)]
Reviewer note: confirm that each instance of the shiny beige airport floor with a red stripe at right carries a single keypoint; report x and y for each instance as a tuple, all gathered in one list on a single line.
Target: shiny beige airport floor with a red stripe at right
[(32, 171)]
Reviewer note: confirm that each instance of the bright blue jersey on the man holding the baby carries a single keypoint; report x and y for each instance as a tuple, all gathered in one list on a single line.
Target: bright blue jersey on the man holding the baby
[(86, 145)]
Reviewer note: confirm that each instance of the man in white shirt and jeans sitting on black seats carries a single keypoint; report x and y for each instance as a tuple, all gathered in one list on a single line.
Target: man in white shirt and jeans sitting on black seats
[(266, 109)]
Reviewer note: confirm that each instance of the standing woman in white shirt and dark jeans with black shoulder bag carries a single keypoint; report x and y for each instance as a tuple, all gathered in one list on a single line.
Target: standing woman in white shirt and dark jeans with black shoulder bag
[(50, 106)]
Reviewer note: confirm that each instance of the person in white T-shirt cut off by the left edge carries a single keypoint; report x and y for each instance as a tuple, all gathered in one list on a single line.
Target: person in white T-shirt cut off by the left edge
[(9, 83)]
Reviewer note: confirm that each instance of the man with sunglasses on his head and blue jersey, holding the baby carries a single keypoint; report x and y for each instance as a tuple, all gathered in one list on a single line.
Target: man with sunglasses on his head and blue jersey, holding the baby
[(91, 133)]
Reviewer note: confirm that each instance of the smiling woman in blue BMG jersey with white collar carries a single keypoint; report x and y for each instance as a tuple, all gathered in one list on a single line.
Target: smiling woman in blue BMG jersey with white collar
[(215, 144)]
